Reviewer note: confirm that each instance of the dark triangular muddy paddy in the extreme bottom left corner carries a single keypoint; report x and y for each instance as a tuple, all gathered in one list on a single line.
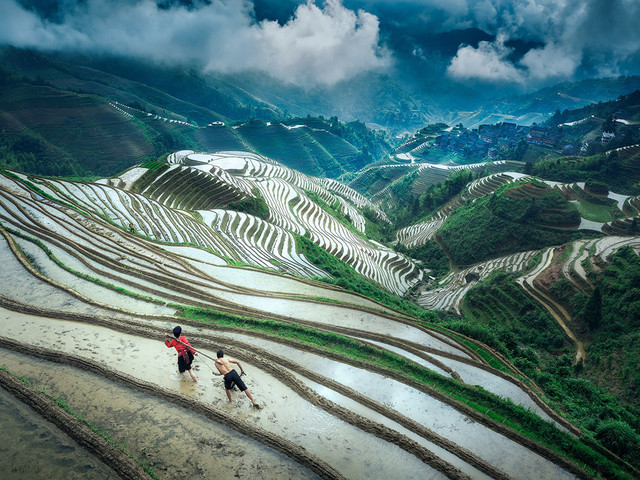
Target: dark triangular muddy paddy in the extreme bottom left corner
[(31, 447)]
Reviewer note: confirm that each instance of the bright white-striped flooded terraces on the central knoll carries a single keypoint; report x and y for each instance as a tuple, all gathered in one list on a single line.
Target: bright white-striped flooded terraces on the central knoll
[(292, 210)]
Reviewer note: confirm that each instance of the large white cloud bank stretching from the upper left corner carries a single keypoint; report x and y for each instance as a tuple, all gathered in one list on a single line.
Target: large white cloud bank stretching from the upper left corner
[(317, 45)]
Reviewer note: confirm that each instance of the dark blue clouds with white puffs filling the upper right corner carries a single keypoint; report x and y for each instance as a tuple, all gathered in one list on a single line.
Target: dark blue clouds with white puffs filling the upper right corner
[(566, 39)]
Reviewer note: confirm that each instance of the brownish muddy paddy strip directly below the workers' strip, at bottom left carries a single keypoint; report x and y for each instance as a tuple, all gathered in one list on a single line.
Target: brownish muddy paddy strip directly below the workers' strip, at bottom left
[(174, 442)]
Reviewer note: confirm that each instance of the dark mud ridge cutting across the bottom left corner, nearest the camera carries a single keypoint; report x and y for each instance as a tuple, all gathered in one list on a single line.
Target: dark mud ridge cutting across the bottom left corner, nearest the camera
[(126, 467)]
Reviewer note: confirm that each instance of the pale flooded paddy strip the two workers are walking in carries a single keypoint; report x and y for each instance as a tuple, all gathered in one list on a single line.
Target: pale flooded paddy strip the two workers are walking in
[(353, 452)]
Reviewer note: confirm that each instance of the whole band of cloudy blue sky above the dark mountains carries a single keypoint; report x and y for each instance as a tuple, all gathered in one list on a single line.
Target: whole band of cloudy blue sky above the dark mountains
[(522, 44)]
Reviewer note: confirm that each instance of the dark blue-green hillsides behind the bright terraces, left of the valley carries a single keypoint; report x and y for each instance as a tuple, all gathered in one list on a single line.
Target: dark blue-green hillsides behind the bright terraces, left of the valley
[(60, 132)]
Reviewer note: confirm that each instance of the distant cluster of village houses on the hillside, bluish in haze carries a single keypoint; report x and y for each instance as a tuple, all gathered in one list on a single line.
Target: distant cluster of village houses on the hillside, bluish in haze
[(487, 139)]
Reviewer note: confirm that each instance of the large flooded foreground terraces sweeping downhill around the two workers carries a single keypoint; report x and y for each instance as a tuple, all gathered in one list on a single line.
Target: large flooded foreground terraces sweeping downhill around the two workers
[(84, 304)]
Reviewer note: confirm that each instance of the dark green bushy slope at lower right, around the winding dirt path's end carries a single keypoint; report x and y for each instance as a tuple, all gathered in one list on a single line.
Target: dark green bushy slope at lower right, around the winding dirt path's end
[(501, 315)]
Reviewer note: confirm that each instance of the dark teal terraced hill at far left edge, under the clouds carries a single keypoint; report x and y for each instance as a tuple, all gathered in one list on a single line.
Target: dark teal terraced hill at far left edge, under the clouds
[(84, 130)]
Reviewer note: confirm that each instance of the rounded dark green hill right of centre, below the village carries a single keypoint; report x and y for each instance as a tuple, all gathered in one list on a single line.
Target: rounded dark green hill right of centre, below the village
[(514, 218)]
